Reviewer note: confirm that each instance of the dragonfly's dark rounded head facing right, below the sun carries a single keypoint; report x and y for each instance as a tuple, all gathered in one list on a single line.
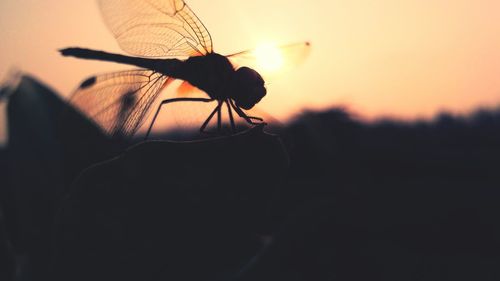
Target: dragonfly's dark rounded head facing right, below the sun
[(247, 87)]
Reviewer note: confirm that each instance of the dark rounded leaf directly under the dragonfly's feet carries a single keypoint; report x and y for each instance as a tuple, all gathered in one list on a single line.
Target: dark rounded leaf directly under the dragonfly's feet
[(170, 211)]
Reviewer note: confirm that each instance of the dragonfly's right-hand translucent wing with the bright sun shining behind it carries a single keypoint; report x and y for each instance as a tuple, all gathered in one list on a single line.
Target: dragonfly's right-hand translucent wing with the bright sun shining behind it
[(272, 61)]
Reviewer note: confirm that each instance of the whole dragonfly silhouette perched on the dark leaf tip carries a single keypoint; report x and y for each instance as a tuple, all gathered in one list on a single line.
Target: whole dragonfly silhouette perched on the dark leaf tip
[(168, 42)]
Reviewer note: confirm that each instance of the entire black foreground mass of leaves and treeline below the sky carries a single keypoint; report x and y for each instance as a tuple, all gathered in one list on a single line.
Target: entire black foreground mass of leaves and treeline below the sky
[(358, 201)]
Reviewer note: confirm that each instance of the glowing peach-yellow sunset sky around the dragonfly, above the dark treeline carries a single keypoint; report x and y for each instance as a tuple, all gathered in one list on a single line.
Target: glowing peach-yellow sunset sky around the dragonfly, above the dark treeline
[(384, 58)]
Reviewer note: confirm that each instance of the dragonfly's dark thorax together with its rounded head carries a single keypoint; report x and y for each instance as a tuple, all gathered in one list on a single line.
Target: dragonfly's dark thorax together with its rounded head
[(215, 75)]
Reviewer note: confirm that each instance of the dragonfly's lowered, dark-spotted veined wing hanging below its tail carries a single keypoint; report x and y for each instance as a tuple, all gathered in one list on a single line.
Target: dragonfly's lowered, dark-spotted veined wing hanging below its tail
[(119, 102)]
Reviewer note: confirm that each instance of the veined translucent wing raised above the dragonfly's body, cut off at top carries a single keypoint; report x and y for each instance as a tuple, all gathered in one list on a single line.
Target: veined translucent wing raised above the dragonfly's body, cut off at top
[(156, 28)]
